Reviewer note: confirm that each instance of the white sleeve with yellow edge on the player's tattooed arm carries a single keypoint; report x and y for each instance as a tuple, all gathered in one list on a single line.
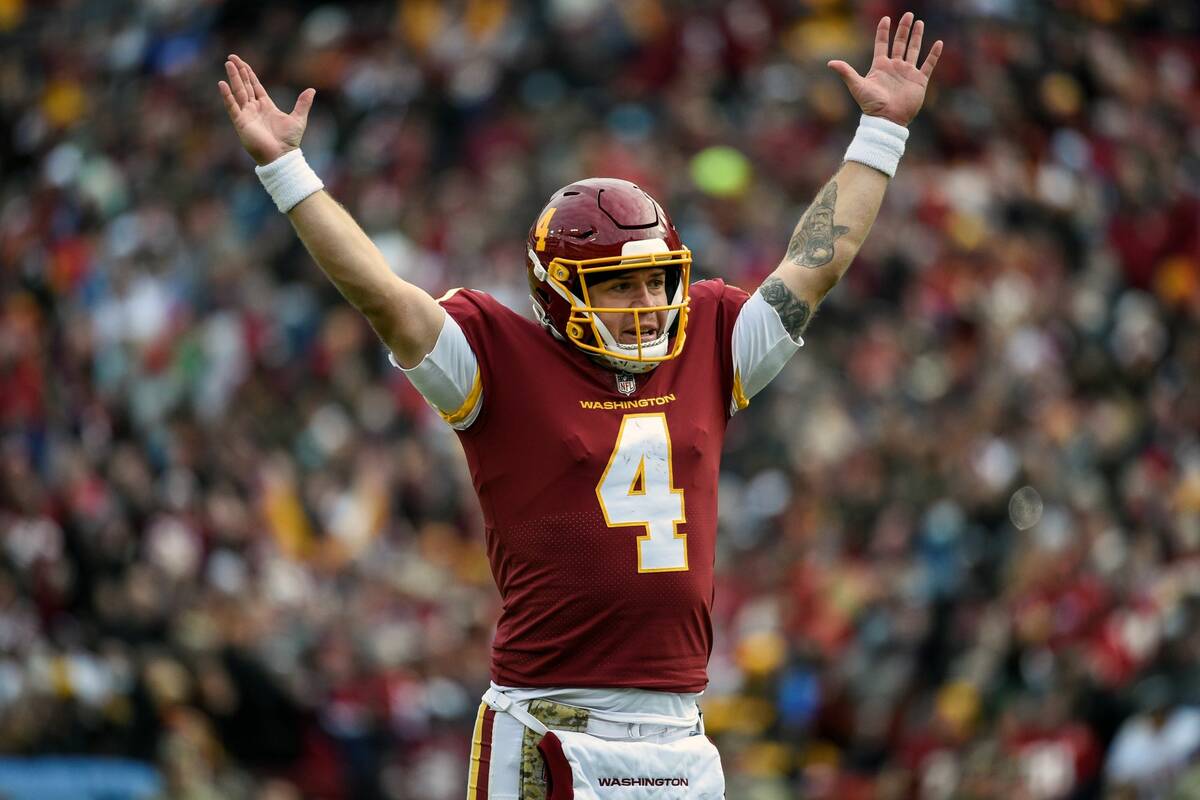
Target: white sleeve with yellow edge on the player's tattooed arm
[(761, 348)]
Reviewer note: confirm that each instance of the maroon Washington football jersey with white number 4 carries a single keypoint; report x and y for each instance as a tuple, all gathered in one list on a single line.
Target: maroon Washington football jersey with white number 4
[(599, 498)]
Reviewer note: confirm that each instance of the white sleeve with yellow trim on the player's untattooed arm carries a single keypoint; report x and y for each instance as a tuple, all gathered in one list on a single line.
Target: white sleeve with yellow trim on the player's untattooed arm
[(448, 377)]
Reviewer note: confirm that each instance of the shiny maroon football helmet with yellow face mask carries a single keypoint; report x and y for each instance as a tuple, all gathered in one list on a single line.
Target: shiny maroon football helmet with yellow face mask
[(587, 233)]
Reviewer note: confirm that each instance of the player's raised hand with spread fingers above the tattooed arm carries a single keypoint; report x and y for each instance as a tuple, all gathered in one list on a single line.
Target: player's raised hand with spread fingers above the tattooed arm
[(895, 88)]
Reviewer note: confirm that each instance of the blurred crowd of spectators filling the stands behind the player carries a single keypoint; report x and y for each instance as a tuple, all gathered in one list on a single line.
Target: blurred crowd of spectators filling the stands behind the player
[(961, 534)]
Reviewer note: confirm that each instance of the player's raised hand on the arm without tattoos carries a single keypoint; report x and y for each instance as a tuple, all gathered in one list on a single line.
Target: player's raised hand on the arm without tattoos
[(265, 131)]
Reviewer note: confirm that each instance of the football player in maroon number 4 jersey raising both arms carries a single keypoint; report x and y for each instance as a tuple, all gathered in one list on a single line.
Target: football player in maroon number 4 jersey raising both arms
[(599, 488)]
